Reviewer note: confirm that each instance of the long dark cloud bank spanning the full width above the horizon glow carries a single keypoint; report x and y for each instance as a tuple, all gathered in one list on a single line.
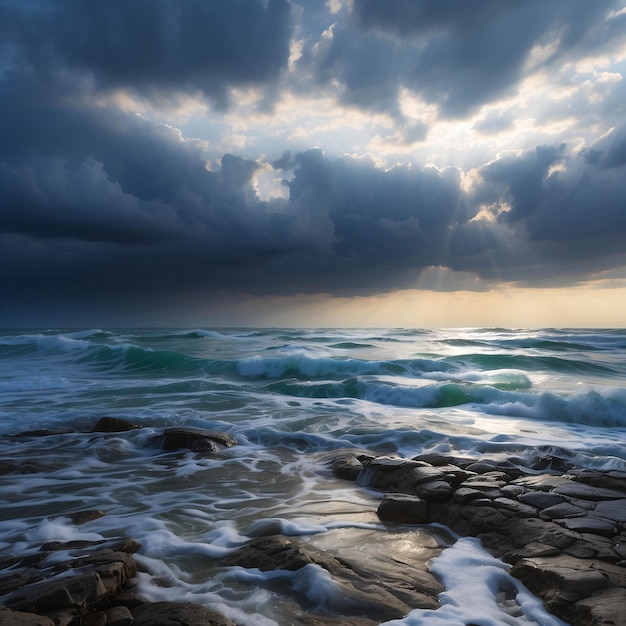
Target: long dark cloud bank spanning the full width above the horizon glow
[(348, 225)]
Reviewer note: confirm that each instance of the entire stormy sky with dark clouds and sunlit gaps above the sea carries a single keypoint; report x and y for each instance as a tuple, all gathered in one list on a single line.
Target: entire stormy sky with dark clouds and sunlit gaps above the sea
[(415, 163)]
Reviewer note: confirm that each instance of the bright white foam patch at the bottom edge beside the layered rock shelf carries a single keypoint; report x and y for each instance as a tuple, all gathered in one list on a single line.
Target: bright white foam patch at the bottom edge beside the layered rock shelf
[(475, 584)]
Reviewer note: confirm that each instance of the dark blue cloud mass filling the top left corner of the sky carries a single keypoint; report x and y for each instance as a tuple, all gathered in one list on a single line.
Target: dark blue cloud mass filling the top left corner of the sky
[(155, 49)]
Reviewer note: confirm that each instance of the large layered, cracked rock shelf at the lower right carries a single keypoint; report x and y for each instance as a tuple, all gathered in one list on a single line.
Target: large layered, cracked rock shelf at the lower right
[(562, 528)]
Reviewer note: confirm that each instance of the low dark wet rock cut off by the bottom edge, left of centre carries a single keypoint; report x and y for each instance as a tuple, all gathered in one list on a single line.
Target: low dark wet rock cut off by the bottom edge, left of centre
[(177, 614)]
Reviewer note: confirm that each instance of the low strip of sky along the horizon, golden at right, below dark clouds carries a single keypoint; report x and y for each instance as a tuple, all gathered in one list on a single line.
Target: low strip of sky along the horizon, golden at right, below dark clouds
[(511, 307)]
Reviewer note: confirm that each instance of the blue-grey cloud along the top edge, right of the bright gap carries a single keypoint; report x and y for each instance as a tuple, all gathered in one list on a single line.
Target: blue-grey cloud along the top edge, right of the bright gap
[(458, 55)]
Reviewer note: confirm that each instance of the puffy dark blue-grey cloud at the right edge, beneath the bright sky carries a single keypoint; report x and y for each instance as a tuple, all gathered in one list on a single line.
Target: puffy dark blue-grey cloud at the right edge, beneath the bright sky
[(579, 204)]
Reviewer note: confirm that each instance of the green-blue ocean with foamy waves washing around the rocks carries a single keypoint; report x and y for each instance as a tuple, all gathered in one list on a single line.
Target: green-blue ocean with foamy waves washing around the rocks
[(289, 397)]
